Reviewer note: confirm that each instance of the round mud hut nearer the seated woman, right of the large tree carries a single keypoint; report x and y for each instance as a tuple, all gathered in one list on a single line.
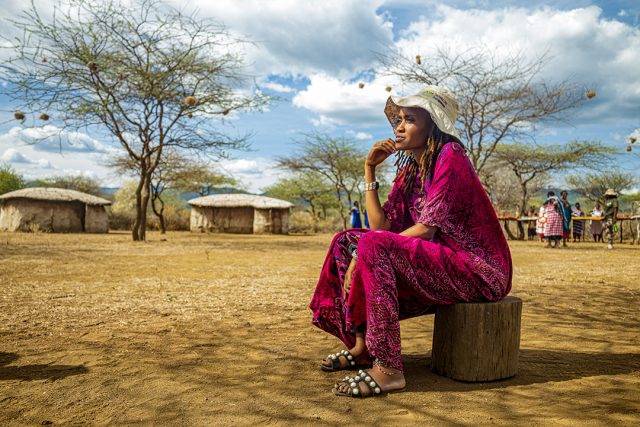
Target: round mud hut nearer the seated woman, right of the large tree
[(239, 213)]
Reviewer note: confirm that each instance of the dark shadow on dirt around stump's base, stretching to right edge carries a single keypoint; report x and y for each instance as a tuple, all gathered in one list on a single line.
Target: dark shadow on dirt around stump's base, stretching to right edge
[(534, 367)]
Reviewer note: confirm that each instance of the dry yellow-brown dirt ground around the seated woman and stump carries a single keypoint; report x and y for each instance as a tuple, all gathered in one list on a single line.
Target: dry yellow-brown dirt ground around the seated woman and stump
[(200, 330)]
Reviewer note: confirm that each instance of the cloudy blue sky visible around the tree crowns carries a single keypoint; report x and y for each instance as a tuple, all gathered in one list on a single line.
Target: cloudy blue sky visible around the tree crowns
[(314, 53)]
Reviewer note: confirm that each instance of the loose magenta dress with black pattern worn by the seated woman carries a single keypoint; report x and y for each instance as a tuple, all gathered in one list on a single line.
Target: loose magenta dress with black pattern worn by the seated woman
[(398, 277)]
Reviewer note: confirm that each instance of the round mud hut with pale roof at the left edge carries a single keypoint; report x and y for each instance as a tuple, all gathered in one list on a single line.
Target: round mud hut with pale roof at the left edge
[(53, 209)]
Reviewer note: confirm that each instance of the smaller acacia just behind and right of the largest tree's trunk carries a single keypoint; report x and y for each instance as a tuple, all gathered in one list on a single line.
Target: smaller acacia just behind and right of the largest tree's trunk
[(175, 173)]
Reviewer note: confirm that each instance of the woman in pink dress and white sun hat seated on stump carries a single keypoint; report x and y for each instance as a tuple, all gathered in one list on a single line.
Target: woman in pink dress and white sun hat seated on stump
[(436, 241)]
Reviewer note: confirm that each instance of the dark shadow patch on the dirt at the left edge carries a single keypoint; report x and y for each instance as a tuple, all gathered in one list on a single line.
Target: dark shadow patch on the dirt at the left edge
[(49, 372)]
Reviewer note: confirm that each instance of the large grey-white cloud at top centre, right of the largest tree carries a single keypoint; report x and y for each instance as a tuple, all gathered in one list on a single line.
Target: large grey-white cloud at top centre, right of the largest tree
[(302, 38)]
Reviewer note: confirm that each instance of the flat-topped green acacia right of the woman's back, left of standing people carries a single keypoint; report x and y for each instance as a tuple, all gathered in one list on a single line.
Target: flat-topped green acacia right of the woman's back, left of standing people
[(532, 164)]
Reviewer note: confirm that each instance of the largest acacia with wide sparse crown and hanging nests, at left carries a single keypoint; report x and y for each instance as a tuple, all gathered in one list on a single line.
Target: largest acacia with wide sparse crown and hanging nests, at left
[(141, 74)]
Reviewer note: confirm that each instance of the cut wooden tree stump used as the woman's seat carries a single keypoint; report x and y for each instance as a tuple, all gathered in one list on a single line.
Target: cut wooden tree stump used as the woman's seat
[(477, 341)]
